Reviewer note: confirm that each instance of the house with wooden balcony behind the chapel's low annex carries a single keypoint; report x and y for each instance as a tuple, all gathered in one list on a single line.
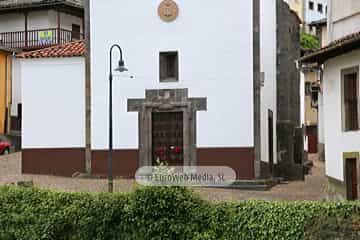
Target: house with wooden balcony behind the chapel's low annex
[(34, 24)]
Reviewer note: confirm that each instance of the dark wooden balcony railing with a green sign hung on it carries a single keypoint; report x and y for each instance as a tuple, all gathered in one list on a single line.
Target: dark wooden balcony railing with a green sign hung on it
[(40, 38)]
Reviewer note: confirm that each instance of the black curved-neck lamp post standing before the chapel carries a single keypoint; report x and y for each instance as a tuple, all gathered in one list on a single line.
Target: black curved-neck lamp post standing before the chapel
[(120, 68)]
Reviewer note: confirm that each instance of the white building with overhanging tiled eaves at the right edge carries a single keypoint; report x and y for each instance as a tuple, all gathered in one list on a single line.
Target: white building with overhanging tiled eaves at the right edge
[(341, 60)]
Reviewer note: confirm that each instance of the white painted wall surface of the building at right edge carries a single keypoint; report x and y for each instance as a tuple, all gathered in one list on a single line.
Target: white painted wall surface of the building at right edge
[(342, 21)]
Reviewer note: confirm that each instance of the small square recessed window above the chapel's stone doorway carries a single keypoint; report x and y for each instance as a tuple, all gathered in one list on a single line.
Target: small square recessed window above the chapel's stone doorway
[(169, 67)]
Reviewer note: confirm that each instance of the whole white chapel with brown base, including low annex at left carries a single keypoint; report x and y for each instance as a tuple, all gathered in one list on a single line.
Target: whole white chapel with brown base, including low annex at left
[(200, 90)]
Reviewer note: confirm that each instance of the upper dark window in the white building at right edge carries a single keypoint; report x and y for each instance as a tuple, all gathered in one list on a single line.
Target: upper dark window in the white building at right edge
[(350, 100)]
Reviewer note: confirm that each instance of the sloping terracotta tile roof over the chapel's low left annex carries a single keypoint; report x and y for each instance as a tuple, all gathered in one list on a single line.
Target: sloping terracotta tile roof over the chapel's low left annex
[(72, 49)]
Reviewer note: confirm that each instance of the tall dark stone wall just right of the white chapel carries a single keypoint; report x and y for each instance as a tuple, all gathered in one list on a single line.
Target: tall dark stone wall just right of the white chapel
[(288, 85)]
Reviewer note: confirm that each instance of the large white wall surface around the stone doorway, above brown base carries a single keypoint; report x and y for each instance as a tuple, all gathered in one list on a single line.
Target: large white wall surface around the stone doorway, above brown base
[(215, 60)]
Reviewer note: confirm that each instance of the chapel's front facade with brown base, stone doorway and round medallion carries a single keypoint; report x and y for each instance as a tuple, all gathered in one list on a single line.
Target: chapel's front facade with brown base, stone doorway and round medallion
[(194, 65)]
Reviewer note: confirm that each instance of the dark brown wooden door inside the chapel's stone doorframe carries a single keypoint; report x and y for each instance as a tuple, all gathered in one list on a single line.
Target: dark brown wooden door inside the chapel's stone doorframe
[(168, 138)]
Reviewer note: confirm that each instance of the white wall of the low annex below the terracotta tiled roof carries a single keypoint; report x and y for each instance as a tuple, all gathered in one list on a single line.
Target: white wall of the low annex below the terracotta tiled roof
[(53, 93)]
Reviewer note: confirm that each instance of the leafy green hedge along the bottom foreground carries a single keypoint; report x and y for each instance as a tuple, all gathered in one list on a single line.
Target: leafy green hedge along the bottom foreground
[(166, 213)]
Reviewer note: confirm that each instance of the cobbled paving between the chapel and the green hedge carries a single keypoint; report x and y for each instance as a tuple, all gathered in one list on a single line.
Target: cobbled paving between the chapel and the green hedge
[(311, 189)]
